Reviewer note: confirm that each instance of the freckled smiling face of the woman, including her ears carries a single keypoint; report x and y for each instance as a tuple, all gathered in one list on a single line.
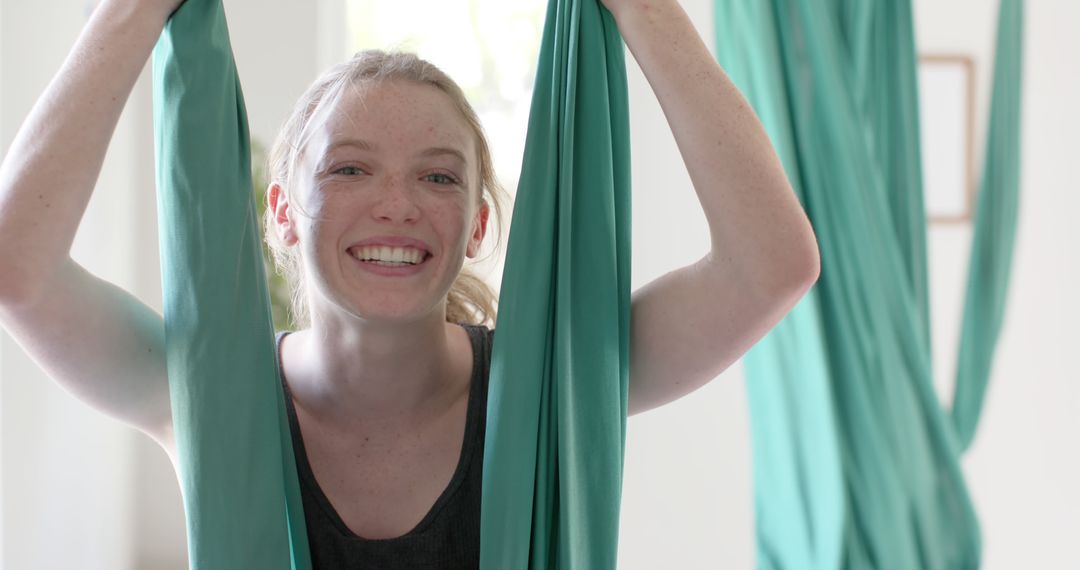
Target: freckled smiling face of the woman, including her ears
[(390, 182)]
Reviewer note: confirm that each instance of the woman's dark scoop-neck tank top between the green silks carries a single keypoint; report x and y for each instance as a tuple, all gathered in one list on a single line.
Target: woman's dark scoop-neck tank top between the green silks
[(448, 538)]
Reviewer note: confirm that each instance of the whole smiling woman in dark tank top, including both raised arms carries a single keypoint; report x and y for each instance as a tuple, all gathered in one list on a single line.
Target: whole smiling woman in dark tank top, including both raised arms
[(383, 187)]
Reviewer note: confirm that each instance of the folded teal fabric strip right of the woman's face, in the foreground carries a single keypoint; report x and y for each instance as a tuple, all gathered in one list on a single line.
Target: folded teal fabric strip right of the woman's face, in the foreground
[(560, 369)]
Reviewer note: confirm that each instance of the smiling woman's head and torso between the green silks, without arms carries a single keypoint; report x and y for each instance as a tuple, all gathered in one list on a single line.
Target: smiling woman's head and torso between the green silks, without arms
[(382, 188)]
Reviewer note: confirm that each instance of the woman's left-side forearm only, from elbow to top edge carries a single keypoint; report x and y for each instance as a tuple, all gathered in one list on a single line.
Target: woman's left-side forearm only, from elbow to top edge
[(53, 164)]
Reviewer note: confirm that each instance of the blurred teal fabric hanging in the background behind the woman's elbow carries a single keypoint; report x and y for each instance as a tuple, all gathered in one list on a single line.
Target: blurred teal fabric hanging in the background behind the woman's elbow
[(856, 464)]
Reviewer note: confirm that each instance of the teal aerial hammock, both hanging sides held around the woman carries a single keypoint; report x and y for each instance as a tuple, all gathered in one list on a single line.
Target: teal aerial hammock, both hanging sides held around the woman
[(558, 406)]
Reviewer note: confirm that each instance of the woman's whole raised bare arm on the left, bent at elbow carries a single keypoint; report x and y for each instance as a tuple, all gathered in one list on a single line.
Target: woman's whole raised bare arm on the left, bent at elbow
[(97, 341)]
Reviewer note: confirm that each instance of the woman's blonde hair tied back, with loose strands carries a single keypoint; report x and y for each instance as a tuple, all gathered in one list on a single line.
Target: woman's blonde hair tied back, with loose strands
[(470, 300)]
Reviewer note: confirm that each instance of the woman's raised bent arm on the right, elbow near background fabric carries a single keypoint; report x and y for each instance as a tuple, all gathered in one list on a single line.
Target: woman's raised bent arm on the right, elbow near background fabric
[(690, 325)]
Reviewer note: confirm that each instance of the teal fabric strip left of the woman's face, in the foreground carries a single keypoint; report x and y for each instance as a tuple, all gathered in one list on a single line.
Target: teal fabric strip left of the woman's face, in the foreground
[(237, 468)]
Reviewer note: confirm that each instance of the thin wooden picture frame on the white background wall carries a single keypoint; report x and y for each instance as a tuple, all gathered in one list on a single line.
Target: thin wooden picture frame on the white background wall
[(948, 126)]
